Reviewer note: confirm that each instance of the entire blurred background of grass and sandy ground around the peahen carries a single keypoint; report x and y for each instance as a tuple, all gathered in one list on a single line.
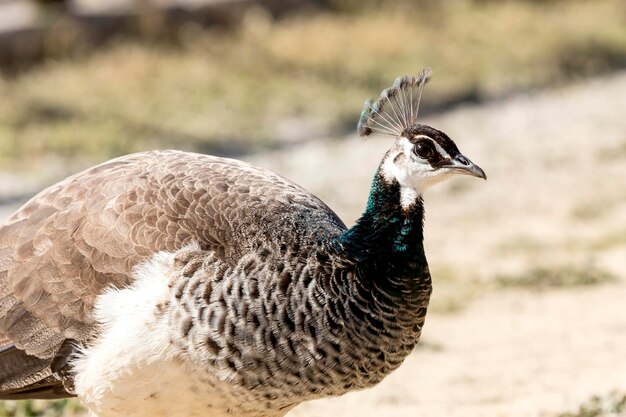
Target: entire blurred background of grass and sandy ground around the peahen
[(528, 315)]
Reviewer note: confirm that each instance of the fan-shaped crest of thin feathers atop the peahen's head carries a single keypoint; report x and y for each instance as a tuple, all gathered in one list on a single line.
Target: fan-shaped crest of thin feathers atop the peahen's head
[(396, 109)]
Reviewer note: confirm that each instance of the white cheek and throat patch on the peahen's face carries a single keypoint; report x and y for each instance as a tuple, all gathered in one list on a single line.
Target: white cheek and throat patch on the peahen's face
[(414, 174)]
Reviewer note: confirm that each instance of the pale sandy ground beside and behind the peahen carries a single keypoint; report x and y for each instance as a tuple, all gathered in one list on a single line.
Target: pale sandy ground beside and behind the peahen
[(556, 197)]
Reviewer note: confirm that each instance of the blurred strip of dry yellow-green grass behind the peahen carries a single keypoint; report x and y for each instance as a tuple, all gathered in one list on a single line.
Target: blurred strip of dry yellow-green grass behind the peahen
[(297, 78)]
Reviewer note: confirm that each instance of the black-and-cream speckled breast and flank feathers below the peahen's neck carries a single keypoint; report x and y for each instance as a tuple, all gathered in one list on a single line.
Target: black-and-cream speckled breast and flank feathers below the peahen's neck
[(288, 329)]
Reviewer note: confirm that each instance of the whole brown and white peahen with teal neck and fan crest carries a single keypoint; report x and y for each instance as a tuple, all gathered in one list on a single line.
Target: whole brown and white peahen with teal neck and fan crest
[(177, 284)]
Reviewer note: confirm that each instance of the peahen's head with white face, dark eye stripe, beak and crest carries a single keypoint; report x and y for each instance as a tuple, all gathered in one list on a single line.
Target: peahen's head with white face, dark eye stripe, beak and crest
[(421, 155)]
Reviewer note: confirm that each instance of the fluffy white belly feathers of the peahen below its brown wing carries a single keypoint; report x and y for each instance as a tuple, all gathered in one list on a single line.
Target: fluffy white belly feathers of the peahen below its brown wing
[(133, 369)]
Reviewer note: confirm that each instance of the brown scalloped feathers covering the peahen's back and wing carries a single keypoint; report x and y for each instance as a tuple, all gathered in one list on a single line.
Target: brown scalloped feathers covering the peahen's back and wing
[(62, 248)]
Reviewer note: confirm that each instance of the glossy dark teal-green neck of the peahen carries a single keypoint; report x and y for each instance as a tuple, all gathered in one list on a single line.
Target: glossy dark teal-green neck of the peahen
[(388, 237)]
